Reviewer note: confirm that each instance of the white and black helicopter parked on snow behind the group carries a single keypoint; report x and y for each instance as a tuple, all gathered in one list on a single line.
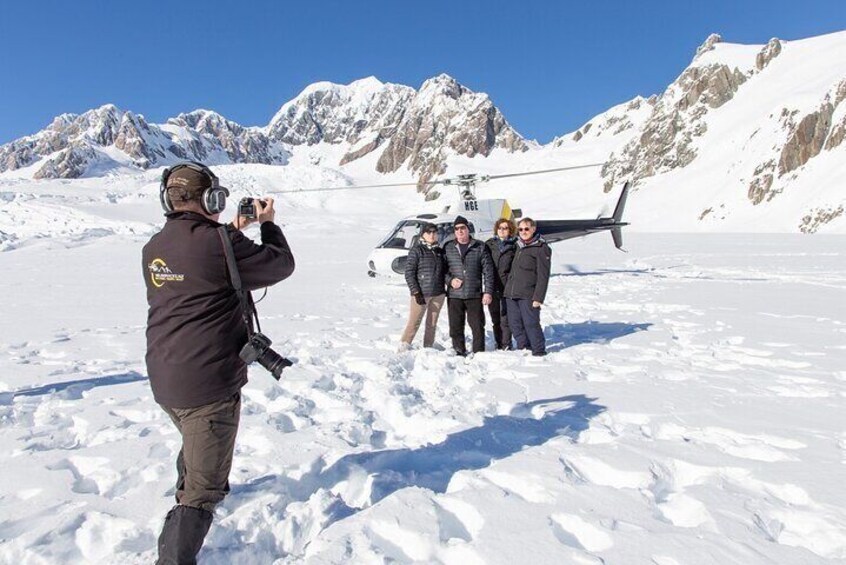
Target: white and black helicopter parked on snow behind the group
[(389, 257)]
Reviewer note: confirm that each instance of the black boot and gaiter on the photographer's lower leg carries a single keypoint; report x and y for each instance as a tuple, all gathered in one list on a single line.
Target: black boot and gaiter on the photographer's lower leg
[(182, 535)]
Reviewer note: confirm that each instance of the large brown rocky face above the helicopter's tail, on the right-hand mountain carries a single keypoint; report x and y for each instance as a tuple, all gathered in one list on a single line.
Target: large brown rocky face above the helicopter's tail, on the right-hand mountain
[(667, 136)]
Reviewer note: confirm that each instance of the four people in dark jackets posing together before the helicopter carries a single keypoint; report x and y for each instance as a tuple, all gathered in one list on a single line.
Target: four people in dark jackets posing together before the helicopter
[(509, 274)]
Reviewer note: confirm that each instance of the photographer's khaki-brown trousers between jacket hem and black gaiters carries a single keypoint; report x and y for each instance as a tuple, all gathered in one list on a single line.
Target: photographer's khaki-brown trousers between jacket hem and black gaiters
[(208, 442)]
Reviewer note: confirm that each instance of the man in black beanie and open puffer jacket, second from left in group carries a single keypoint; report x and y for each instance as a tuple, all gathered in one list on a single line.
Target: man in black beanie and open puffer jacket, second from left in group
[(470, 284)]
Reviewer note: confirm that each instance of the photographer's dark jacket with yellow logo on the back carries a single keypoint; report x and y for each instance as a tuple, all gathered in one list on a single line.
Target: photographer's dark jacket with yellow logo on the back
[(195, 327)]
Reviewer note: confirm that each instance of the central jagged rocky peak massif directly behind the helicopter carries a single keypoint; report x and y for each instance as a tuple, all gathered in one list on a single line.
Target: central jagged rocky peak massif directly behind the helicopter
[(415, 128)]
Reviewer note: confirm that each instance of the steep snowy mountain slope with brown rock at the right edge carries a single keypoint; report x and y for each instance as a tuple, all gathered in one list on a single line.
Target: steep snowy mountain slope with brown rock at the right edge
[(744, 128)]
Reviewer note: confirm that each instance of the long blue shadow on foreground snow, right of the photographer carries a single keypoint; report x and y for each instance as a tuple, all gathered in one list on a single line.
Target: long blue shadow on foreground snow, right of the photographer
[(433, 466)]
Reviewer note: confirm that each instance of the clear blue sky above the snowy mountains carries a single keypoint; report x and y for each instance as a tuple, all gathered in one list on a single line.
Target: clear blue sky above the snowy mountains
[(549, 66)]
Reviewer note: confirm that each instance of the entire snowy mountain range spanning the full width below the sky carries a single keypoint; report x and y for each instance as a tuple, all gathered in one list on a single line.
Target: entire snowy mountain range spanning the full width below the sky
[(748, 137)]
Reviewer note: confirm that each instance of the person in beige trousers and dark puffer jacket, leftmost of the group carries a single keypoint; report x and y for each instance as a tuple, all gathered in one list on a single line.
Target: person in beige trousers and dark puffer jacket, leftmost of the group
[(424, 274)]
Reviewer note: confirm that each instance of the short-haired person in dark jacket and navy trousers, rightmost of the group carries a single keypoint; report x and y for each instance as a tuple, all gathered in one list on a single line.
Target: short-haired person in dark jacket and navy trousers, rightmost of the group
[(525, 288)]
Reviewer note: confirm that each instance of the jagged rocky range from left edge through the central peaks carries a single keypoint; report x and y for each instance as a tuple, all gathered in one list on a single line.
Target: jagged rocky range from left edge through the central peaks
[(412, 129)]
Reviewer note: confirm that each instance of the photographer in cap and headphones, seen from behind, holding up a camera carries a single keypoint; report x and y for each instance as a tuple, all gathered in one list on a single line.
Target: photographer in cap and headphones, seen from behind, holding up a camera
[(195, 330)]
